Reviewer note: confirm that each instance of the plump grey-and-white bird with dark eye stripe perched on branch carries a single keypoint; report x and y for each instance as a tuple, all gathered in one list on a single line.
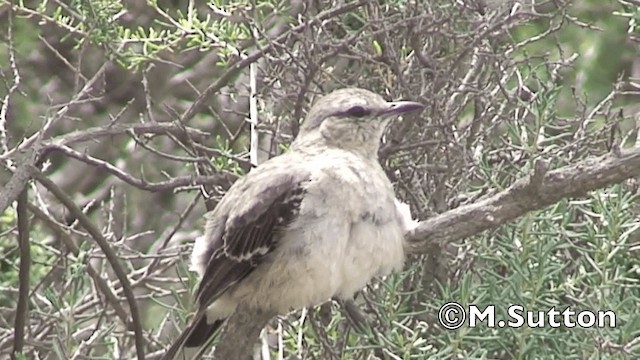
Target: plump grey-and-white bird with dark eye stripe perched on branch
[(317, 222)]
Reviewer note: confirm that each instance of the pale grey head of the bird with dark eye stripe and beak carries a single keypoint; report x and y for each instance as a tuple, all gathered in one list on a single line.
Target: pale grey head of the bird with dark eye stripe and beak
[(351, 118)]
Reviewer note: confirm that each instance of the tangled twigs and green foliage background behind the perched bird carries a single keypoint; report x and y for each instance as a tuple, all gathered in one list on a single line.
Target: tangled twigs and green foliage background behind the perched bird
[(142, 108)]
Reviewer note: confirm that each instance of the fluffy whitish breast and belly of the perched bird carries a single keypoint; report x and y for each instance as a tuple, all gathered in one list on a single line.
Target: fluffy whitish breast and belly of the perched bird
[(345, 235)]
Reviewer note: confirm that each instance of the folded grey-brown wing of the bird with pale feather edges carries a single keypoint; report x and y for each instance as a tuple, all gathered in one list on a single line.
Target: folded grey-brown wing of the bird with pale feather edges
[(245, 228)]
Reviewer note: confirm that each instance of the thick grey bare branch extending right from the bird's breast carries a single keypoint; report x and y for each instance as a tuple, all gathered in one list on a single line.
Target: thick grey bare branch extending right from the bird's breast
[(538, 191)]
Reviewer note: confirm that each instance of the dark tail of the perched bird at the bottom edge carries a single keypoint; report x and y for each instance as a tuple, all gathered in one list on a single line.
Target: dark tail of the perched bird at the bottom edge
[(194, 340)]
